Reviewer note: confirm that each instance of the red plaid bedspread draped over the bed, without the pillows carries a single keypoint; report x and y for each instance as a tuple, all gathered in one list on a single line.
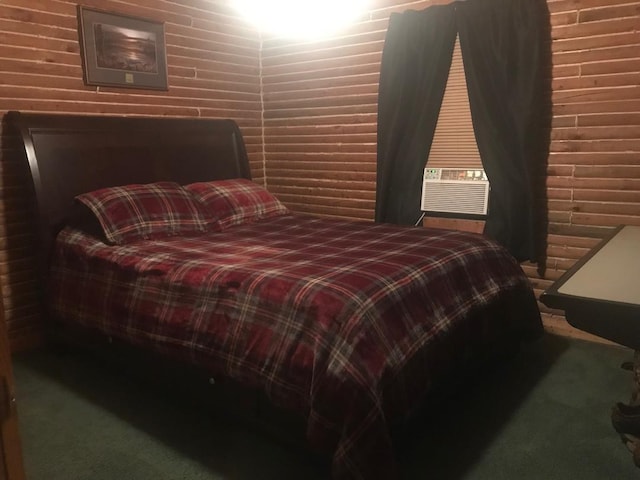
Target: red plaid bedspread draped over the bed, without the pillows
[(337, 319)]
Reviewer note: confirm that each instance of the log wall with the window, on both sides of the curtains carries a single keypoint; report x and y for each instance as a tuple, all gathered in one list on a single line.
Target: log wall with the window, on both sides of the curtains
[(320, 102)]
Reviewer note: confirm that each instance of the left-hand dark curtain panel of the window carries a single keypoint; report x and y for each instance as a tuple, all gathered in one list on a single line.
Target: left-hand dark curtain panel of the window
[(415, 66)]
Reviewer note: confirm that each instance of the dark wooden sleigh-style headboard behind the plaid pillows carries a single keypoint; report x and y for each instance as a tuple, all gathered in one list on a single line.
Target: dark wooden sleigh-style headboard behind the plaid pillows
[(72, 154)]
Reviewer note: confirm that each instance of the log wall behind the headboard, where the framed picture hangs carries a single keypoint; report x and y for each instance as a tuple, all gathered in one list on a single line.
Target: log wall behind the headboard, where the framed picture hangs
[(213, 67)]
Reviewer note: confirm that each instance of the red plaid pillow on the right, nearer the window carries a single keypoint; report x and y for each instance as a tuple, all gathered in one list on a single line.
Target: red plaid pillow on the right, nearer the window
[(236, 201)]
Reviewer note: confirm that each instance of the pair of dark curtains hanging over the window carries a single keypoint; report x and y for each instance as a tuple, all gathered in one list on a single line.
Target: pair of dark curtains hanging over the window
[(502, 43)]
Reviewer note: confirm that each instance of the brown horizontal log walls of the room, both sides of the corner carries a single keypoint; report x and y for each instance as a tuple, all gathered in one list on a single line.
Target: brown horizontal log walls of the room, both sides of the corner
[(319, 102)]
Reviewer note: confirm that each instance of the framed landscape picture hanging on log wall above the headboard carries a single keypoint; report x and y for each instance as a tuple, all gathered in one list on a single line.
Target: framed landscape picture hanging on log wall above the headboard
[(122, 51)]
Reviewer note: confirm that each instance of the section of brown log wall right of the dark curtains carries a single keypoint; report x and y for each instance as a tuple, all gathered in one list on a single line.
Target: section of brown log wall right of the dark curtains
[(594, 166)]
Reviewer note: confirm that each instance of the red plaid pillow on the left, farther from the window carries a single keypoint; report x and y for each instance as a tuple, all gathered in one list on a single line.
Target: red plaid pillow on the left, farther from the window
[(135, 212)]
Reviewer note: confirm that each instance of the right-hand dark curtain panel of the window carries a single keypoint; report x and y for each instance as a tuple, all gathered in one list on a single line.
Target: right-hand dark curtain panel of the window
[(501, 49)]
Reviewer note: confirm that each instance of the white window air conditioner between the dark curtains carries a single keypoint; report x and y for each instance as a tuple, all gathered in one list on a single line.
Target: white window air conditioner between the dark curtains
[(455, 191)]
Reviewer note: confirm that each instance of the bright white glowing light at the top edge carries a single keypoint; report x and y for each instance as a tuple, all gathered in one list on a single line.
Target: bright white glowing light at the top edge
[(301, 18)]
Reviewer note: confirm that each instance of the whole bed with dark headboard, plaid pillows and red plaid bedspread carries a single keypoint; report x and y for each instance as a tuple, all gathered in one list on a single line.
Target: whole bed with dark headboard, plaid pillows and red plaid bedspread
[(351, 326)]
